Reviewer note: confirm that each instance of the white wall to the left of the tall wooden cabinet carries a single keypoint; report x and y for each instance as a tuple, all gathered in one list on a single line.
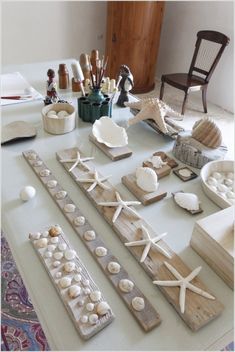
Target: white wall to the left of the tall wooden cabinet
[(51, 30)]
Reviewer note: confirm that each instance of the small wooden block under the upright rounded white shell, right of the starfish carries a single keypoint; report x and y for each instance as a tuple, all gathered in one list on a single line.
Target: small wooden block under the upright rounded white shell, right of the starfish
[(144, 197)]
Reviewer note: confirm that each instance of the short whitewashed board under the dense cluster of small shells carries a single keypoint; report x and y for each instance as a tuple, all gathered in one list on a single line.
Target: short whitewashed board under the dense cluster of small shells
[(86, 330)]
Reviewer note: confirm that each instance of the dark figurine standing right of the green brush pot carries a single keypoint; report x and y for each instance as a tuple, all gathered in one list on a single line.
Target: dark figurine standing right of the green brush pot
[(126, 83)]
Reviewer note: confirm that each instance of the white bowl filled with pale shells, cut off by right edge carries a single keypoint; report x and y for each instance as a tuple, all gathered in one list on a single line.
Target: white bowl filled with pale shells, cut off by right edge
[(218, 182)]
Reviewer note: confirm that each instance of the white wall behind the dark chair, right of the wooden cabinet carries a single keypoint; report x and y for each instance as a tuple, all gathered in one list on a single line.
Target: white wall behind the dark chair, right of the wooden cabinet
[(182, 20)]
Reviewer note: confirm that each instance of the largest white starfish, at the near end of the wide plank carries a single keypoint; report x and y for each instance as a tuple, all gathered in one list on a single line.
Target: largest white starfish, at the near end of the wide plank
[(183, 283)]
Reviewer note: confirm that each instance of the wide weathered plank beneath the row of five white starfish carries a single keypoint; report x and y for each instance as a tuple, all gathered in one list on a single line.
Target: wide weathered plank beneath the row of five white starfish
[(199, 310)]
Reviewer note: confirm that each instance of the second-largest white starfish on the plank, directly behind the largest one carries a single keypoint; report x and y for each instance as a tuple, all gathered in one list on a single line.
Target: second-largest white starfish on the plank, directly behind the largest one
[(148, 242)]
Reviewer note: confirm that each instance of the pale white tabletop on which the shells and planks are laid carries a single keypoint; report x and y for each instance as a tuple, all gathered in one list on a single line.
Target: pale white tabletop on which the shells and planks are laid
[(18, 219)]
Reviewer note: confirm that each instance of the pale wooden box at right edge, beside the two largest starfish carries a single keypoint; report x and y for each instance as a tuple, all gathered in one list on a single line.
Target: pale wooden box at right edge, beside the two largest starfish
[(213, 240)]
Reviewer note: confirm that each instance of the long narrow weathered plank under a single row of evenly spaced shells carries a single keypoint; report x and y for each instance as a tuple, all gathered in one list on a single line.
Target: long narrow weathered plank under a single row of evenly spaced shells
[(149, 317)]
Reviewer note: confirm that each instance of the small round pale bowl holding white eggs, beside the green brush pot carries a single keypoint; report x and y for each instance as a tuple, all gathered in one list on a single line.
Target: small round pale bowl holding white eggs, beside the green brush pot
[(59, 125)]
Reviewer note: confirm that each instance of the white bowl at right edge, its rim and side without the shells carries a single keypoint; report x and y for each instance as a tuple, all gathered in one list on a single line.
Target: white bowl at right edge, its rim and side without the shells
[(207, 170)]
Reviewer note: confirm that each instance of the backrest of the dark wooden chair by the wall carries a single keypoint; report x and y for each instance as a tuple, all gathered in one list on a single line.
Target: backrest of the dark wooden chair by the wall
[(208, 50)]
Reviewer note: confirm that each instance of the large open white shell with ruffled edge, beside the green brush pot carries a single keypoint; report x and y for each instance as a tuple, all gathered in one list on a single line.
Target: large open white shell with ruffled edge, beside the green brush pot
[(106, 131)]
